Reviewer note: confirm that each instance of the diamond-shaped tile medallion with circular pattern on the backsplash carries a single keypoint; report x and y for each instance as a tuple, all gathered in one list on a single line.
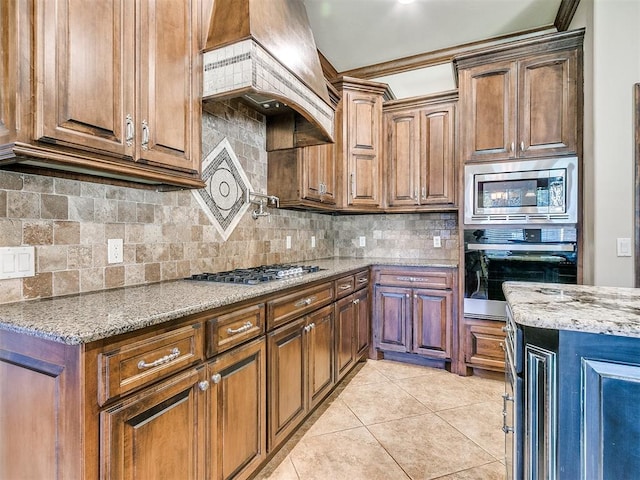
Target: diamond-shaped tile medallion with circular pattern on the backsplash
[(224, 198)]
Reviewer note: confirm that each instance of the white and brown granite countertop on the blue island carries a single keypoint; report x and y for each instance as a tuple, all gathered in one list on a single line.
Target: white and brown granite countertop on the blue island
[(582, 308)]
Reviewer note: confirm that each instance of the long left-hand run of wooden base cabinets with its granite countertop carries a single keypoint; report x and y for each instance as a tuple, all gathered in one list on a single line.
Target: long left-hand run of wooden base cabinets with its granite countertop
[(180, 379)]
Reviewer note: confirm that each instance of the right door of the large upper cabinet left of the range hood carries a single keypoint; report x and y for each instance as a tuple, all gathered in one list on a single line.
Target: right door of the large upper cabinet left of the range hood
[(168, 115)]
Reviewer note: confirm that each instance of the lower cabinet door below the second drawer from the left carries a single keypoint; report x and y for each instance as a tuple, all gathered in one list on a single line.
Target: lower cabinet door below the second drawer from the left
[(238, 434)]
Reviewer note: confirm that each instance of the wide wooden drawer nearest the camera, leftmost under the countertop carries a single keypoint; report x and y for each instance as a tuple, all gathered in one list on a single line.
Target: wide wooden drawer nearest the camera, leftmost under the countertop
[(140, 363)]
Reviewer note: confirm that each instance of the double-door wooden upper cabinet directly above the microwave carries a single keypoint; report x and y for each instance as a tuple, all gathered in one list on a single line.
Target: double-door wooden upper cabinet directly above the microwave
[(522, 100)]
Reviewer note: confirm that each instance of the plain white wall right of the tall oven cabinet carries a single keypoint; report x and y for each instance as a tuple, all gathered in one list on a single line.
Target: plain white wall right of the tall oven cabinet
[(612, 67)]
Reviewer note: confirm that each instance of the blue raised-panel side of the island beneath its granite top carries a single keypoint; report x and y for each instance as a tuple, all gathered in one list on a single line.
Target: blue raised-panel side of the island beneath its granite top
[(599, 406)]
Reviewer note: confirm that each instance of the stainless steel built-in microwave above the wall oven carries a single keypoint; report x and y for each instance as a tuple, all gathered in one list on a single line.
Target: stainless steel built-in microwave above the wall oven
[(543, 191)]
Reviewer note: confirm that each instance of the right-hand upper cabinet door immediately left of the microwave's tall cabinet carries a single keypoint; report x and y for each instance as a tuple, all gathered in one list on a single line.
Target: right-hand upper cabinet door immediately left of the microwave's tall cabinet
[(437, 168)]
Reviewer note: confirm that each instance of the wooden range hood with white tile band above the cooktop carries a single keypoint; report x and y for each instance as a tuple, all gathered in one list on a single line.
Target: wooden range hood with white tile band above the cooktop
[(263, 52)]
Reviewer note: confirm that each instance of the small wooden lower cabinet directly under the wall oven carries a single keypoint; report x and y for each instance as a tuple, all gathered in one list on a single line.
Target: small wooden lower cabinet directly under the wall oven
[(483, 344)]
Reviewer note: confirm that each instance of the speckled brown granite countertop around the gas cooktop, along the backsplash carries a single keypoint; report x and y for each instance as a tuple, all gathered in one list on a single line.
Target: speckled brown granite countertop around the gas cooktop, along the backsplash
[(83, 318)]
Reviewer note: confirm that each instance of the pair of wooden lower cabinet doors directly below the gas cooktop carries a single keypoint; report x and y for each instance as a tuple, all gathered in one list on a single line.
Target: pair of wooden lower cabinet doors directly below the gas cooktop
[(300, 371)]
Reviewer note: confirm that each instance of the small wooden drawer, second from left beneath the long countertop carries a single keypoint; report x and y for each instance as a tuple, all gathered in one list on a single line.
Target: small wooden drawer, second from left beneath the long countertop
[(230, 329)]
